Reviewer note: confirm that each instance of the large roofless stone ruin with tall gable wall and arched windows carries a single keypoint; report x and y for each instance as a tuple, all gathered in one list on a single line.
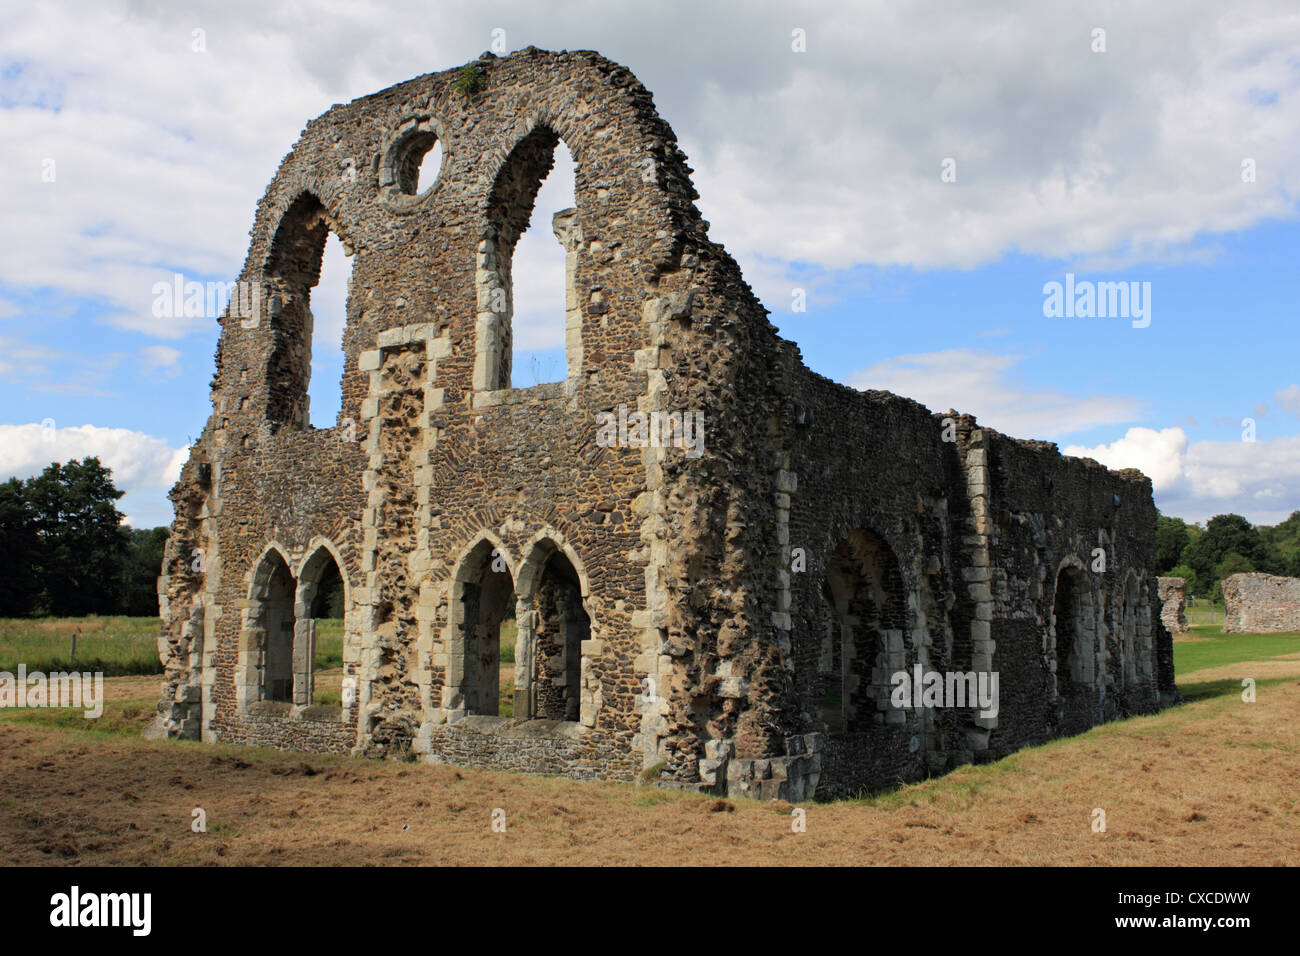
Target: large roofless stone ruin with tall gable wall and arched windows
[(722, 611)]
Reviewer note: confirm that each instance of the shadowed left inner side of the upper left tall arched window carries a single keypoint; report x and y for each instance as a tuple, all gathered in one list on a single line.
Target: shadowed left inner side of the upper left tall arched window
[(293, 269)]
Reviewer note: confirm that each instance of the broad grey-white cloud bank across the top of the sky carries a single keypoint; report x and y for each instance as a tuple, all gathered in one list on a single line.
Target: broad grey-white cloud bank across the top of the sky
[(830, 157)]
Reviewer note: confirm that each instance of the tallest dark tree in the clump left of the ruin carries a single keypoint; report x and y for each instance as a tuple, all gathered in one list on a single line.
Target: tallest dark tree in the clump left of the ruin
[(80, 543)]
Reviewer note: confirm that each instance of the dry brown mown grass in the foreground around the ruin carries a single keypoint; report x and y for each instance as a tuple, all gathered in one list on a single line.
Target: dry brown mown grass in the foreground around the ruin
[(1210, 782)]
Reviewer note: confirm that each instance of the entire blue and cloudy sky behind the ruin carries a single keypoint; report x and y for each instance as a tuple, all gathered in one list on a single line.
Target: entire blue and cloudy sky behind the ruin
[(138, 142)]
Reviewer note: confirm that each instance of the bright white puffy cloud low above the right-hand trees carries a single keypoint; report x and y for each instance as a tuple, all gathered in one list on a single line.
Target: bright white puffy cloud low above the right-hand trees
[(1198, 481)]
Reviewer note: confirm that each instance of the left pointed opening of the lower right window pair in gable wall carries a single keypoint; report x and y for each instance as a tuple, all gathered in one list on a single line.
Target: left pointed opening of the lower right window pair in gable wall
[(482, 589)]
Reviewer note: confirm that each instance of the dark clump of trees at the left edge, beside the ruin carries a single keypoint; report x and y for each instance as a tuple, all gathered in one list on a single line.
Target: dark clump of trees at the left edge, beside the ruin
[(64, 551)]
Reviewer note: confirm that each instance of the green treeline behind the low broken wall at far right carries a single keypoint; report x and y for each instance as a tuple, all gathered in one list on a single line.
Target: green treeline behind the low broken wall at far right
[(1227, 546)]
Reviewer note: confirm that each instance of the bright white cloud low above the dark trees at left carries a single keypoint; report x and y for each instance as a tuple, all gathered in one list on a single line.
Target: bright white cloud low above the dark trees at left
[(140, 461)]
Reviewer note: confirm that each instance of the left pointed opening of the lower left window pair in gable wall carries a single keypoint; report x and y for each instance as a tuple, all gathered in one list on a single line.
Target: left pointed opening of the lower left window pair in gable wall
[(267, 641)]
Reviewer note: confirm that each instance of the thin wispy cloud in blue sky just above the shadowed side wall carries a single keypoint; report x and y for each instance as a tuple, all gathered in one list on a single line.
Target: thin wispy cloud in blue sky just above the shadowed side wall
[(981, 383)]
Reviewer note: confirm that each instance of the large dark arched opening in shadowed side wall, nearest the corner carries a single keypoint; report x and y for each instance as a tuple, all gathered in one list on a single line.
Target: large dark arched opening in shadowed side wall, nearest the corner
[(870, 621)]
